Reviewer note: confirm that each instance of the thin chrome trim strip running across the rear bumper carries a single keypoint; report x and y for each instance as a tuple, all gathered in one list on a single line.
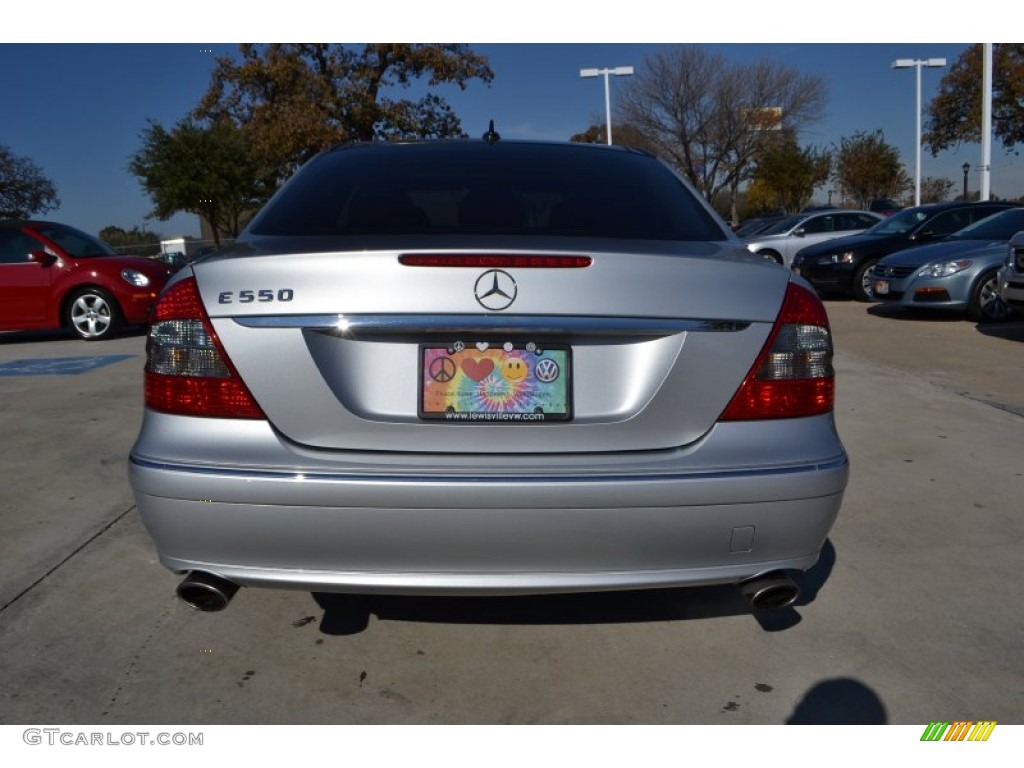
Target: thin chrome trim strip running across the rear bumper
[(253, 475)]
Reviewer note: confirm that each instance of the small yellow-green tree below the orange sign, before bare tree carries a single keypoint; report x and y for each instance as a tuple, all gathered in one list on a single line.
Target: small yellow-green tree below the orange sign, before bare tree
[(786, 175)]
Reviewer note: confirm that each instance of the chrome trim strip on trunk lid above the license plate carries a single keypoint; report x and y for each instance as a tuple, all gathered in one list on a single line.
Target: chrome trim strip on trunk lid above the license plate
[(457, 325)]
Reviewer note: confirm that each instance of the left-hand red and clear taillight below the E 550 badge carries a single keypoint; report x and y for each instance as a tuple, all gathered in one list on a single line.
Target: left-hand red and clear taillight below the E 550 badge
[(187, 371)]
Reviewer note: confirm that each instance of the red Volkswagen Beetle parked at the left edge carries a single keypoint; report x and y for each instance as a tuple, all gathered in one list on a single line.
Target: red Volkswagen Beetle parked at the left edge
[(54, 276)]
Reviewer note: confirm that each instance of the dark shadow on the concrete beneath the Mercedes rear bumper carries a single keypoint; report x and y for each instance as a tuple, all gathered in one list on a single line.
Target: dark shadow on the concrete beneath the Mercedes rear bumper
[(350, 615)]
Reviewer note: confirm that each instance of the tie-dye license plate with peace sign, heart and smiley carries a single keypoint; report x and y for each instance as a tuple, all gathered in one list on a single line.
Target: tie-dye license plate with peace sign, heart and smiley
[(496, 383)]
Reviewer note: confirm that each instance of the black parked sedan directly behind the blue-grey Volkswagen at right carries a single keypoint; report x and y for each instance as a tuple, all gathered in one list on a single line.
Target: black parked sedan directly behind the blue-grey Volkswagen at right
[(844, 266)]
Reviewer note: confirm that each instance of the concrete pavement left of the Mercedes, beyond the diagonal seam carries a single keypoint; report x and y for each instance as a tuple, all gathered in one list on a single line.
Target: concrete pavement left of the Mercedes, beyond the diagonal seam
[(66, 437)]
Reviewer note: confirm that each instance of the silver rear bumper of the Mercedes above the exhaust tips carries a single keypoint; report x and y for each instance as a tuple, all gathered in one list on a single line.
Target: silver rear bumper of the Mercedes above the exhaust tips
[(514, 526)]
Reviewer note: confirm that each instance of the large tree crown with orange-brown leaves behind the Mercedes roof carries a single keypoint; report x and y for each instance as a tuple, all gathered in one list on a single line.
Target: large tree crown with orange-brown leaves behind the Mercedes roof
[(295, 100)]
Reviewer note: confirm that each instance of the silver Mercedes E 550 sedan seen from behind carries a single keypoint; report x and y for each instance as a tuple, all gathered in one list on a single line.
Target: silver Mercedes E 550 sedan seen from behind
[(488, 367)]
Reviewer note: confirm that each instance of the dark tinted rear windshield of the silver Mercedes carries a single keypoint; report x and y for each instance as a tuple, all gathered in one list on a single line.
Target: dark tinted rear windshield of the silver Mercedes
[(476, 189)]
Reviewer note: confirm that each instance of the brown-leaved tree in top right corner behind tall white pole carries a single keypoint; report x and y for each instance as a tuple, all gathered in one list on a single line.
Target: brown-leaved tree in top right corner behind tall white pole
[(955, 115)]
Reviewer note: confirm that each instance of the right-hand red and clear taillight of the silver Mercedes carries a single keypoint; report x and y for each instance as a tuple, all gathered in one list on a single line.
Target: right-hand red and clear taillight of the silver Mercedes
[(793, 376)]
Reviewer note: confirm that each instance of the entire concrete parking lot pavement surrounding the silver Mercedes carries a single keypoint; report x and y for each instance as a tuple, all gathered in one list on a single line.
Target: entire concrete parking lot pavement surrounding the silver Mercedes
[(911, 617)]
